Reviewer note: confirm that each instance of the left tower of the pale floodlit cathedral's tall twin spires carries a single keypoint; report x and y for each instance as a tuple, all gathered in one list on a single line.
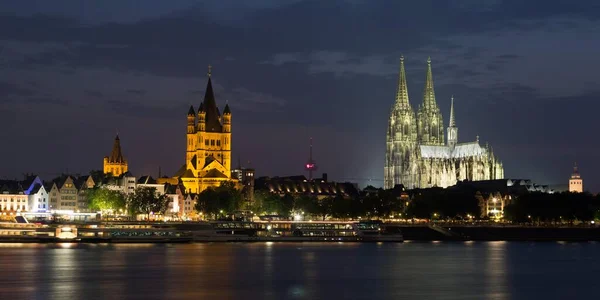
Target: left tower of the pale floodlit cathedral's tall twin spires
[(401, 136)]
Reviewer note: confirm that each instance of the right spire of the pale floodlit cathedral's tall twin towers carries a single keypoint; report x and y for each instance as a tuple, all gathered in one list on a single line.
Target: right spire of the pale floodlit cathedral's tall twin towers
[(429, 118)]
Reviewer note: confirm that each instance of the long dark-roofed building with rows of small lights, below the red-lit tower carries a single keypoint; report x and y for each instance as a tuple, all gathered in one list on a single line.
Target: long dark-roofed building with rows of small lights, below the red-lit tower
[(299, 185)]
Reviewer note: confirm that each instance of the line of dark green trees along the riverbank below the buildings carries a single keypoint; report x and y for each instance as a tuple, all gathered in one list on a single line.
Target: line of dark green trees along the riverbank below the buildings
[(435, 203)]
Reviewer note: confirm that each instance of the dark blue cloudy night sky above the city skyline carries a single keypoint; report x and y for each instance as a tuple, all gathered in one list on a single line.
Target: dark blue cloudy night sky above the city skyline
[(524, 75)]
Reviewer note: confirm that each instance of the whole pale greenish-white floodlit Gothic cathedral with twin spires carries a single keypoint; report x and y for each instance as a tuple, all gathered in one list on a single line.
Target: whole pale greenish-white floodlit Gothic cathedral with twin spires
[(417, 153)]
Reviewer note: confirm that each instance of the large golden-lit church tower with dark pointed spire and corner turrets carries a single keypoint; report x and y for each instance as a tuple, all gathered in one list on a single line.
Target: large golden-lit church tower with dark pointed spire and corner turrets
[(208, 149)]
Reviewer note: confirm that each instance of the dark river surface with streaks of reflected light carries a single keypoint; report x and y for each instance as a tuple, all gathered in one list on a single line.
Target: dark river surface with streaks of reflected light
[(471, 270)]
